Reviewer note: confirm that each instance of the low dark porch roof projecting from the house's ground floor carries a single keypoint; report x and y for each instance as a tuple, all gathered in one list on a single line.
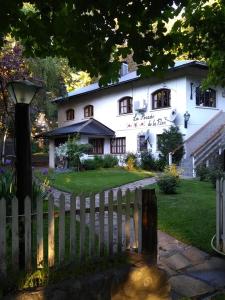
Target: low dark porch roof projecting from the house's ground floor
[(89, 127)]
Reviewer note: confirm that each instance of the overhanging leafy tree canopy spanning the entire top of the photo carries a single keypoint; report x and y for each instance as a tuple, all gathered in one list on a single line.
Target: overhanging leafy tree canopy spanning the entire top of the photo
[(94, 35)]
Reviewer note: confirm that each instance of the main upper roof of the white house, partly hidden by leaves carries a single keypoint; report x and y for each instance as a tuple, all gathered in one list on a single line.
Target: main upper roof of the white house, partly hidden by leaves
[(127, 78)]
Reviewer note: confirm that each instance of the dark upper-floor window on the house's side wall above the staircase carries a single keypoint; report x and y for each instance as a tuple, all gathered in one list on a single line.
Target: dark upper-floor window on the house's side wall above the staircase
[(205, 98)]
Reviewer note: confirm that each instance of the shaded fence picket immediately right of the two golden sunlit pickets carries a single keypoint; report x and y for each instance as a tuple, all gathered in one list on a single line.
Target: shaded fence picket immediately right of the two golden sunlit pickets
[(61, 228)]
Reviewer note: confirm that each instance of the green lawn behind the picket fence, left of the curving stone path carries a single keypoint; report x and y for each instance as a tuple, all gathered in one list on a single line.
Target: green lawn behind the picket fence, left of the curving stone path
[(96, 180)]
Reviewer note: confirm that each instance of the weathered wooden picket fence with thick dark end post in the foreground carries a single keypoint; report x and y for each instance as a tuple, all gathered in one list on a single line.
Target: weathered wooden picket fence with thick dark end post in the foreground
[(96, 226)]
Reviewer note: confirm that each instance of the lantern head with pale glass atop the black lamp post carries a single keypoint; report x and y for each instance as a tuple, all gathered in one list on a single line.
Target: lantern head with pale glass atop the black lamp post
[(22, 91)]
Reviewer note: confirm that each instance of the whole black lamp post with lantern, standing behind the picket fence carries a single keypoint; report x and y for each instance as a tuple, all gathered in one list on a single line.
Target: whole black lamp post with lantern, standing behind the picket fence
[(22, 93)]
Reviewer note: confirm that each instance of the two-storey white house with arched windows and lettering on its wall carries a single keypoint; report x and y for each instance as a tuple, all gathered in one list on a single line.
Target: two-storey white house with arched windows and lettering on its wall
[(128, 116)]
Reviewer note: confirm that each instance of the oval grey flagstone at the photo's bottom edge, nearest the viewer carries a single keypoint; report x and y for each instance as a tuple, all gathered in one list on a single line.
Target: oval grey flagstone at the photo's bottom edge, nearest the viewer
[(187, 286)]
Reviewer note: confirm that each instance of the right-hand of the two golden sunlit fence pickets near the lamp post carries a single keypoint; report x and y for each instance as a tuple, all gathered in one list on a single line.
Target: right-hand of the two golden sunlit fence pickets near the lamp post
[(51, 232)]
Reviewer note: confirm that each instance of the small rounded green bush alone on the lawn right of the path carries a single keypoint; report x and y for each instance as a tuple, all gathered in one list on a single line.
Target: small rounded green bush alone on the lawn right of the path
[(167, 184)]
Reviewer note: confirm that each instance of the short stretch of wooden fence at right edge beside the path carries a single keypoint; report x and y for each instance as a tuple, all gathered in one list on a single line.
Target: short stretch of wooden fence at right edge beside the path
[(220, 215)]
